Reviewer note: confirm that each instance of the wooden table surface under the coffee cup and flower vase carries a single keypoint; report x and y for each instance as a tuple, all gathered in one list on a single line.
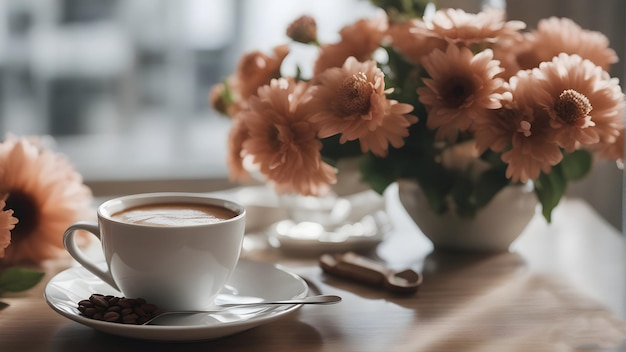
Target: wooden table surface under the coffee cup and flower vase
[(560, 288)]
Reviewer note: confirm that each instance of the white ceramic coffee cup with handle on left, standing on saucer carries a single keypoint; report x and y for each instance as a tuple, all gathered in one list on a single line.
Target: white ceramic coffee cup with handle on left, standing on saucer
[(176, 267)]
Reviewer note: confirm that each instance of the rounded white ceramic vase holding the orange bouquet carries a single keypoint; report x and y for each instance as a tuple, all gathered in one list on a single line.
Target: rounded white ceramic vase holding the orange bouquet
[(493, 229)]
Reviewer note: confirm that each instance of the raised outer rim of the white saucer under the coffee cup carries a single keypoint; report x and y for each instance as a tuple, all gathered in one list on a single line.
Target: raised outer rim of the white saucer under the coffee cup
[(193, 332)]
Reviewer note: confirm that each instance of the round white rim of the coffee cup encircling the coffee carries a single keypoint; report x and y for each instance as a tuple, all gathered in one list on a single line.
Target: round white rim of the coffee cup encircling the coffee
[(168, 197)]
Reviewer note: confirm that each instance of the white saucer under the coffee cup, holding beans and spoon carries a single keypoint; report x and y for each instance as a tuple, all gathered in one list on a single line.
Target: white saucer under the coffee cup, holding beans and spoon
[(251, 281)]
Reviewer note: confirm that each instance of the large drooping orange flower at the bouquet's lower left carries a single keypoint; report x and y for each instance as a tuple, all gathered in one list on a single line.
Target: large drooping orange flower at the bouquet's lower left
[(282, 141)]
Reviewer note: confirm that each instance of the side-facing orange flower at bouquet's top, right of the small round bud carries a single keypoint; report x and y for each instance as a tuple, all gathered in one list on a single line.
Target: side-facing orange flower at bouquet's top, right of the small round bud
[(360, 40)]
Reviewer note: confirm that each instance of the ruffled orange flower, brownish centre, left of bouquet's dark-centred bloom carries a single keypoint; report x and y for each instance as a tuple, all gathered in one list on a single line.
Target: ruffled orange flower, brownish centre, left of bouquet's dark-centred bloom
[(351, 101)]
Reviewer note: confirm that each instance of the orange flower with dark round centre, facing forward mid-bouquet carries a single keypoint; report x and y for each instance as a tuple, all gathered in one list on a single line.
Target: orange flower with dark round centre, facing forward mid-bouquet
[(461, 88)]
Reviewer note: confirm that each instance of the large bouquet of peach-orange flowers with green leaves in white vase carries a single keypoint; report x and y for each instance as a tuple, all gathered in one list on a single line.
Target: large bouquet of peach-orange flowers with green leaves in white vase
[(464, 104)]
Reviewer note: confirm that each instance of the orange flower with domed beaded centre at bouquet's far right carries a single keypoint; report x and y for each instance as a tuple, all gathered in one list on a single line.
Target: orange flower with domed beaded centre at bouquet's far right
[(584, 104)]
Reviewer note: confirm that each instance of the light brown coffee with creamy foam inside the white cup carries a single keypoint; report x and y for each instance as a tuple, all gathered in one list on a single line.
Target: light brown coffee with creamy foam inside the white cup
[(175, 214)]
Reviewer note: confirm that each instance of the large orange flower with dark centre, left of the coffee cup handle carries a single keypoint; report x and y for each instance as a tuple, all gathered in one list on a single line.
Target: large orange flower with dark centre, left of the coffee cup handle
[(46, 195)]
